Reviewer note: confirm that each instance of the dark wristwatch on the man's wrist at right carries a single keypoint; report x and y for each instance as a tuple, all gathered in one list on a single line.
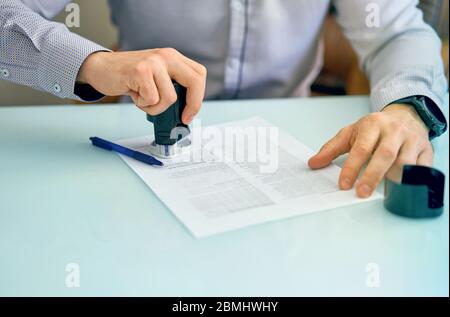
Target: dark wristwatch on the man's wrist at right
[(429, 112)]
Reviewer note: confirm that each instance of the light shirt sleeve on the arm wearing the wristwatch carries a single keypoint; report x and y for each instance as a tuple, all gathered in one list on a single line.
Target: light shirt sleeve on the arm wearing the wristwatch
[(398, 51)]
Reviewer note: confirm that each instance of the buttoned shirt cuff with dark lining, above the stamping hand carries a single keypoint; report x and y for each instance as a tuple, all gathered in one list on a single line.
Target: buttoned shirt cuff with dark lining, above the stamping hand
[(60, 60)]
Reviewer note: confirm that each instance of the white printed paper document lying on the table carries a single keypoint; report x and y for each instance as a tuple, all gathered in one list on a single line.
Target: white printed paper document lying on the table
[(240, 174)]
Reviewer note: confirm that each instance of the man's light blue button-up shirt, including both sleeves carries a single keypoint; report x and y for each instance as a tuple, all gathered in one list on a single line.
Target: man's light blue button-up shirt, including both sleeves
[(251, 48)]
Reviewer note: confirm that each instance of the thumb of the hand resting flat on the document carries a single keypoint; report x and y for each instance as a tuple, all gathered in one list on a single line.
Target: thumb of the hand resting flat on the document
[(338, 145)]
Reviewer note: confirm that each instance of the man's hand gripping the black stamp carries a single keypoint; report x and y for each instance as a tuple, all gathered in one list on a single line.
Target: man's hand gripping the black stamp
[(146, 76)]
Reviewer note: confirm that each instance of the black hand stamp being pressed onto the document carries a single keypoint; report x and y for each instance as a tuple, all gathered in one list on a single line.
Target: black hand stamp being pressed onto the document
[(168, 125)]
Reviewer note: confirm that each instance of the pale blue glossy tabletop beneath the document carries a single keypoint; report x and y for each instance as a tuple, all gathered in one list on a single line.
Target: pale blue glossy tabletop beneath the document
[(71, 213)]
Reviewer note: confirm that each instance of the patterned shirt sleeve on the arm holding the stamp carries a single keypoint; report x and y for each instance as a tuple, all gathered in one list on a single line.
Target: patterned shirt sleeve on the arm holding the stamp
[(40, 53)]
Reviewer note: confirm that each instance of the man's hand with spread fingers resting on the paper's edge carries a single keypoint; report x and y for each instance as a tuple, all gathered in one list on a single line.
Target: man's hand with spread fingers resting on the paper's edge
[(389, 139)]
